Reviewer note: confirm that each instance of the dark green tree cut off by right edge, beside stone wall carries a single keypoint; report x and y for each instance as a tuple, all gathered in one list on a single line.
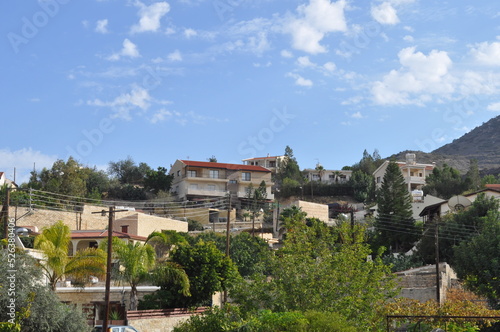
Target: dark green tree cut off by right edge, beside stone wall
[(477, 260)]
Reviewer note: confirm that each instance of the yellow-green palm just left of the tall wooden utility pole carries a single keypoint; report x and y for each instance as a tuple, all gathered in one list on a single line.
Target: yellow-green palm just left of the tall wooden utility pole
[(54, 244)]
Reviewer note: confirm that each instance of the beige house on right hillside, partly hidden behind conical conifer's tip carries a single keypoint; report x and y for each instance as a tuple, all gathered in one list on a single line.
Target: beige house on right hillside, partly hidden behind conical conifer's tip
[(413, 172)]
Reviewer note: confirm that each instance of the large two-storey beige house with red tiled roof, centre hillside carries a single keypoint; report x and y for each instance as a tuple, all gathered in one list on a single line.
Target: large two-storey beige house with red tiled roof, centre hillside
[(200, 180)]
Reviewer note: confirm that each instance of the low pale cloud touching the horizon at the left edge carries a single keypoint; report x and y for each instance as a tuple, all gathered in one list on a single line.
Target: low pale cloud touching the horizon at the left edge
[(23, 161)]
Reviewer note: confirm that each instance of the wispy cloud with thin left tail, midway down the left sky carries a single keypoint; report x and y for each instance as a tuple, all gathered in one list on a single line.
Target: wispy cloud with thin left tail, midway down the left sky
[(137, 98)]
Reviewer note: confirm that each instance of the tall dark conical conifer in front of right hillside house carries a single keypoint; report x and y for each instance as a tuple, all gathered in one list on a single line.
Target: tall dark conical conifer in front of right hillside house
[(394, 225)]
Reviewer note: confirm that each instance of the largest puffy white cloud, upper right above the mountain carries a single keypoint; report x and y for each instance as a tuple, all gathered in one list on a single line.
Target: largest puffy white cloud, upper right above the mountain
[(420, 79)]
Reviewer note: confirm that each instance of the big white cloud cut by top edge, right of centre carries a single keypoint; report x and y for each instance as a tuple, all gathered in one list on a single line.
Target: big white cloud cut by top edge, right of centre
[(314, 21)]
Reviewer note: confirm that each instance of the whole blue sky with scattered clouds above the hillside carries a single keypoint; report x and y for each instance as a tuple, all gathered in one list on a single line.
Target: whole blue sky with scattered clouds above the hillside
[(166, 80)]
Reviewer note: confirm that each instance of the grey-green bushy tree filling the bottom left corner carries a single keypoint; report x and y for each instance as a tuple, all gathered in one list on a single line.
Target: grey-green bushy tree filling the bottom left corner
[(37, 307)]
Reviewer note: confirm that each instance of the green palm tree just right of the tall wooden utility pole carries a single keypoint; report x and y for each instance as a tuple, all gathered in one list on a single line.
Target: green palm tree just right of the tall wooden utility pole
[(136, 260)]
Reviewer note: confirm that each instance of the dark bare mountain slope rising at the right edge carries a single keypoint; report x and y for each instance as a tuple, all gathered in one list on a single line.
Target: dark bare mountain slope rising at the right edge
[(482, 143)]
